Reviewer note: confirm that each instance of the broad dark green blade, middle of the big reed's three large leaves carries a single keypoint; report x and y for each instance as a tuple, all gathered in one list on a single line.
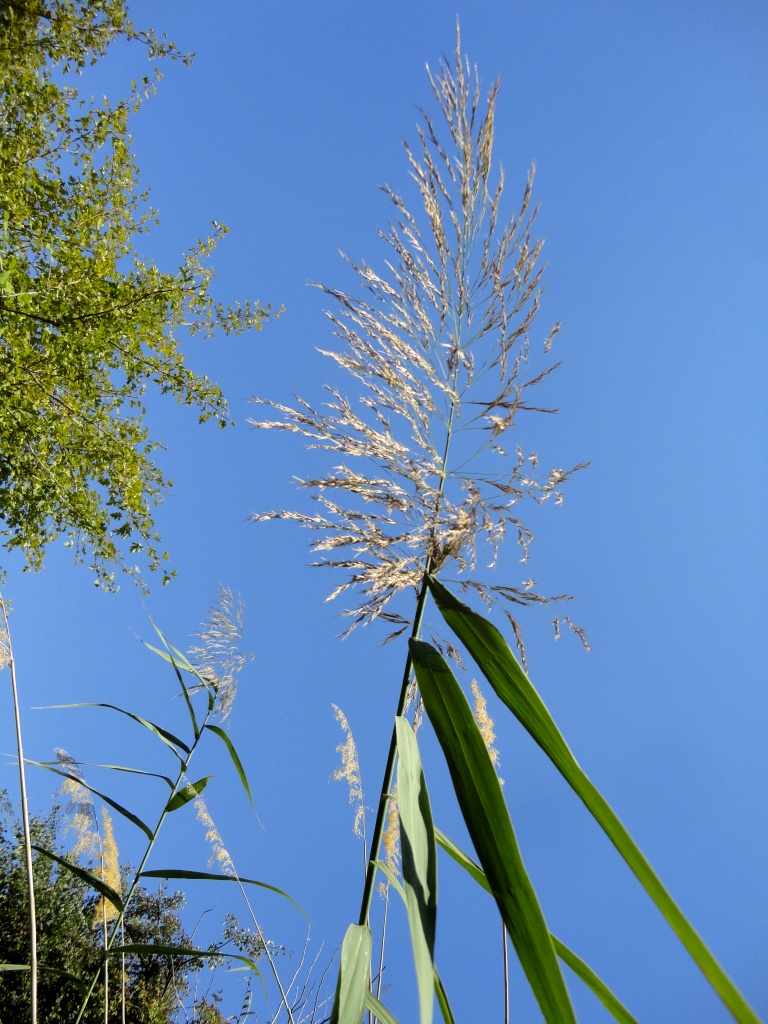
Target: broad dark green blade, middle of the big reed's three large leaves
[(485, 813)]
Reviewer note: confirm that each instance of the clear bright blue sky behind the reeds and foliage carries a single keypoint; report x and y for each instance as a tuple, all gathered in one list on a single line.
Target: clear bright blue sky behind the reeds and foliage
[(648, 124)]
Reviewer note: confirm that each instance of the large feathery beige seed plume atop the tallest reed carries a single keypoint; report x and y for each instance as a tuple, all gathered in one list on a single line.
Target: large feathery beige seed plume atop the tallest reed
[(439, 347)]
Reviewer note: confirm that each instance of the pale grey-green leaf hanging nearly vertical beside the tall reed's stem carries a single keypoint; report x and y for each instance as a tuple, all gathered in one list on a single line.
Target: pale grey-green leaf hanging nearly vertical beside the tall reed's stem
[(419, 863)]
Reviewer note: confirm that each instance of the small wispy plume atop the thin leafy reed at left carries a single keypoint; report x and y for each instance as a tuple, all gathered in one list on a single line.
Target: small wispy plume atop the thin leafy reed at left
[(218, 658)]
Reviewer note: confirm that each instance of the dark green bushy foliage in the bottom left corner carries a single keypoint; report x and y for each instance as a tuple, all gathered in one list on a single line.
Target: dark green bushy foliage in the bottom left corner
[(70, 943)]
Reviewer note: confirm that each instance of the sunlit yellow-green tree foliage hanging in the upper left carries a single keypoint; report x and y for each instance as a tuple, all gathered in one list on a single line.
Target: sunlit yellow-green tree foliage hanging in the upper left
[(87, 323)]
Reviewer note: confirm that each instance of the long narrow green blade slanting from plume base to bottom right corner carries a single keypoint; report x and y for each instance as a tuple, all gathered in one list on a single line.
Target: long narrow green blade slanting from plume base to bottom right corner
[(498, 664)]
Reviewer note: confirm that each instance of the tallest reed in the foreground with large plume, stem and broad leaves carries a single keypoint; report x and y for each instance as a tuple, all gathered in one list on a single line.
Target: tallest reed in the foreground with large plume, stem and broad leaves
[(422, 474)]
